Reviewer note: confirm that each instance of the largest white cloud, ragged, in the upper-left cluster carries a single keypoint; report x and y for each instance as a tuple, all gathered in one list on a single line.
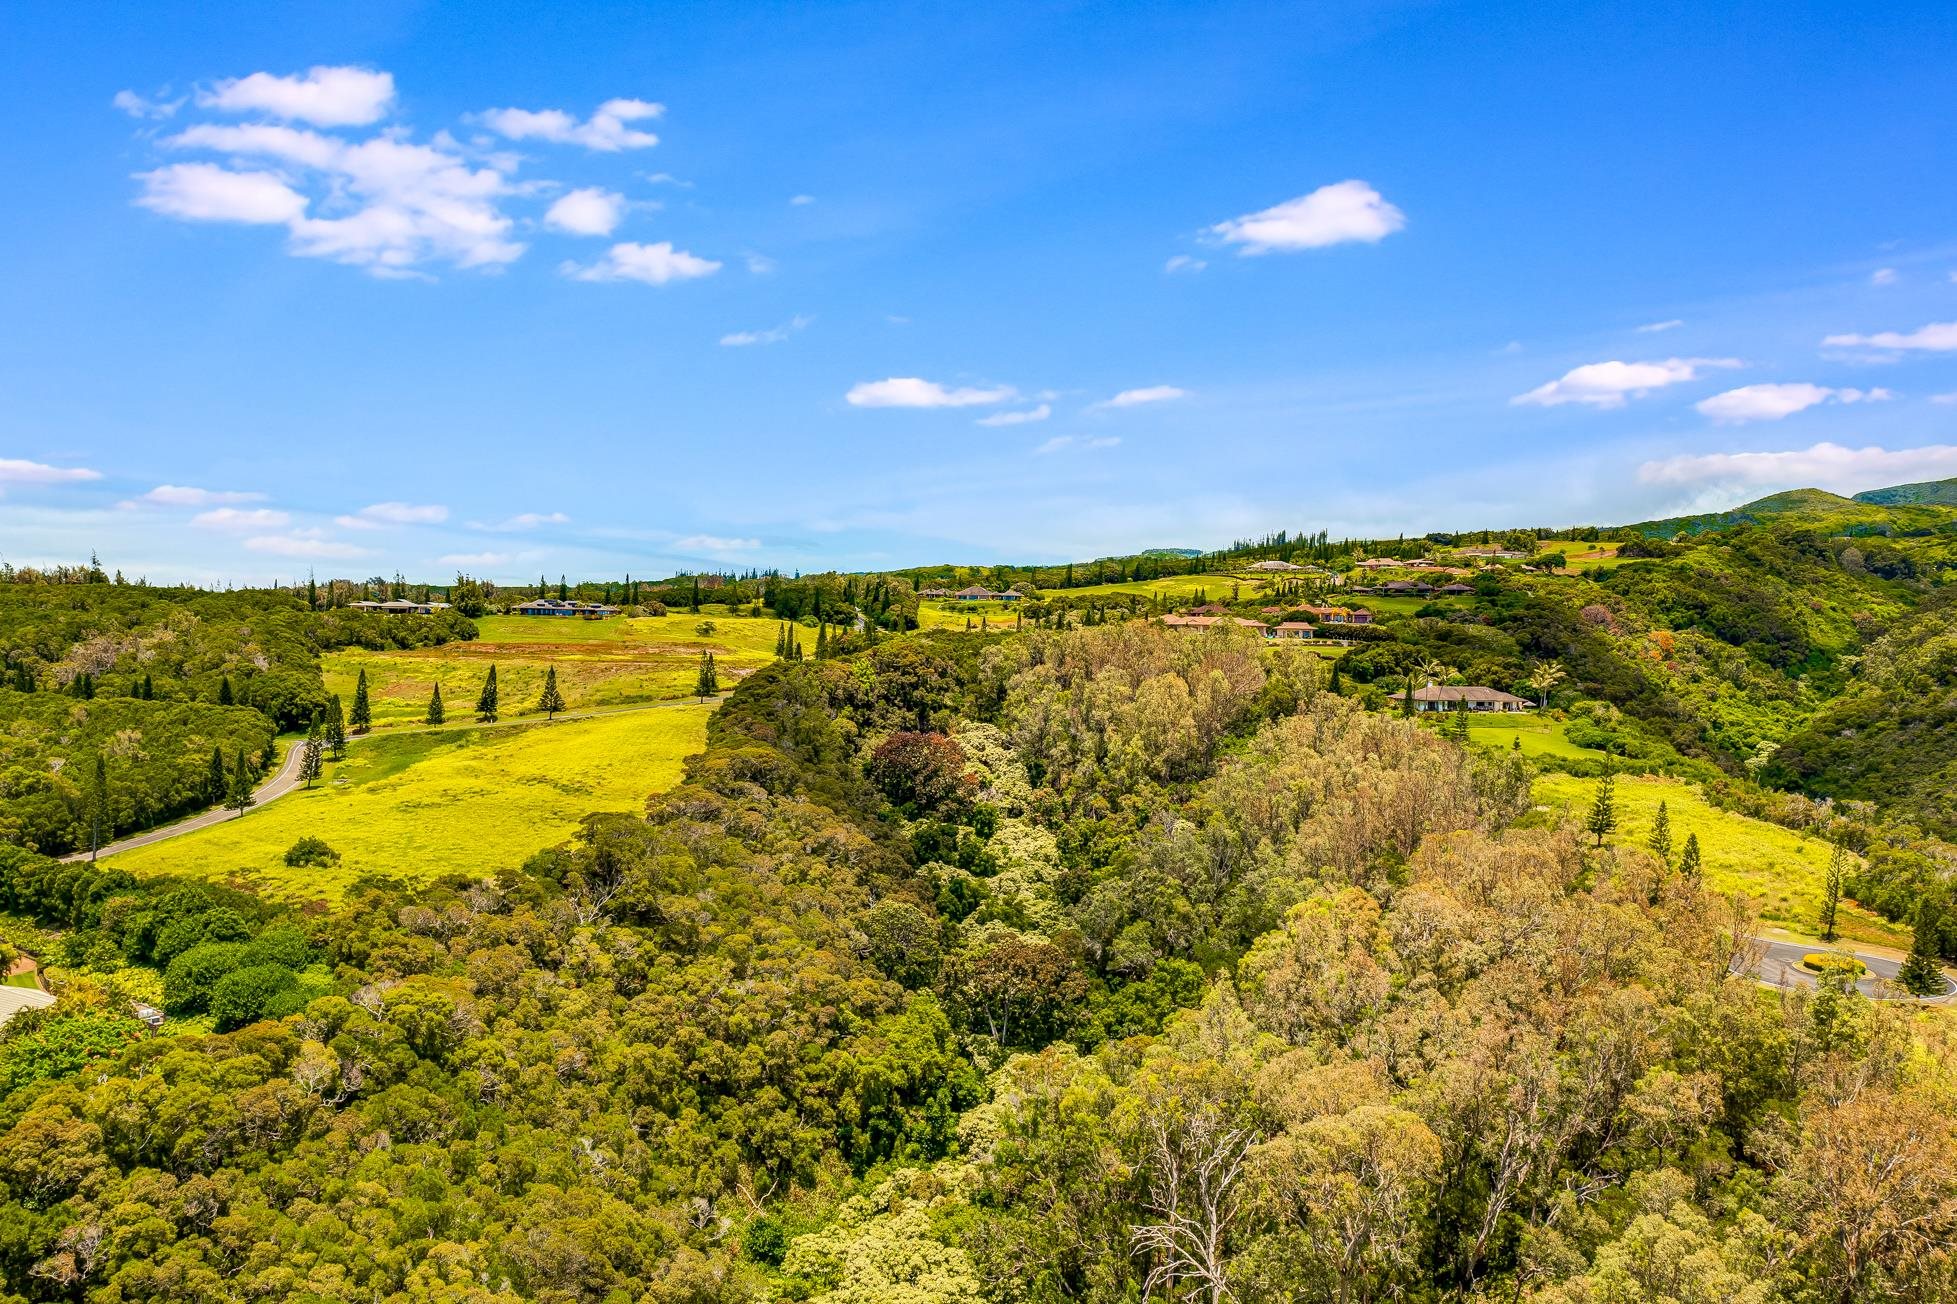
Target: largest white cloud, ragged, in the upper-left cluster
[(387, 205)]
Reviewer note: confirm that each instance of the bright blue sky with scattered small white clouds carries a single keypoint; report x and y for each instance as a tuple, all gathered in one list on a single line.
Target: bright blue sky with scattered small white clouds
[(633, 289)]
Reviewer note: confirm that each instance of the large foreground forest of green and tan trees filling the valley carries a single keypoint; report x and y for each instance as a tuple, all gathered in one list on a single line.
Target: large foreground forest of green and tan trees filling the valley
[(1071, 966)]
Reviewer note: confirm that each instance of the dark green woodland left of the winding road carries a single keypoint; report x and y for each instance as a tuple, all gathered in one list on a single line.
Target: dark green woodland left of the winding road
[(116, 696)]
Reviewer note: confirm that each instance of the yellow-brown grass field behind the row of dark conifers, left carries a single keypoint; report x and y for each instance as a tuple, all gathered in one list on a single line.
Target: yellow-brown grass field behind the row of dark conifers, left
[(600, 663)]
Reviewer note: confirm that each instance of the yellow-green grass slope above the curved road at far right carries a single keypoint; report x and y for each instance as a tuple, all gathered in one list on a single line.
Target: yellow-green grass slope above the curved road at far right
[(1782, 870)]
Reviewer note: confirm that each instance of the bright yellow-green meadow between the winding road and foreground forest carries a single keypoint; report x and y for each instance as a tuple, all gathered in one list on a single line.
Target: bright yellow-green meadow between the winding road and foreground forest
[(441, 802)]
